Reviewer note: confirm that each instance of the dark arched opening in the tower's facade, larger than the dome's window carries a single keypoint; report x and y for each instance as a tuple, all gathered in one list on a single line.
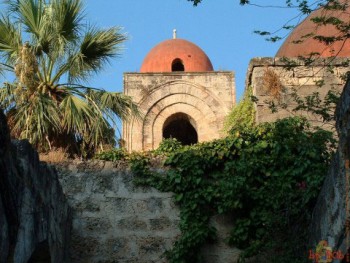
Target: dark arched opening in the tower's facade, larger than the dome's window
[(181, 127)]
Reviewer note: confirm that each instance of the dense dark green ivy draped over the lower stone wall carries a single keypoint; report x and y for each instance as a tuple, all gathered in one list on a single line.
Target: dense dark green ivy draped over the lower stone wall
[(267, 177)]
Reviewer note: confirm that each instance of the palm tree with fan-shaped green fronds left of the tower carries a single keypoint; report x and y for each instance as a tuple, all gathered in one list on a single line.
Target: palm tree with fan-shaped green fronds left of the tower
[(51, 51)]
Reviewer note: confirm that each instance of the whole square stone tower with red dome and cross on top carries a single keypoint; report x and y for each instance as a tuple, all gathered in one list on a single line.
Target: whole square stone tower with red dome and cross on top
[(180, 96)]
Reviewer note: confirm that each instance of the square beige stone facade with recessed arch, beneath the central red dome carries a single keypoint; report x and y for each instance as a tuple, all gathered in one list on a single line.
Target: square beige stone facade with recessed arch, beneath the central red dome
[(197, 99)]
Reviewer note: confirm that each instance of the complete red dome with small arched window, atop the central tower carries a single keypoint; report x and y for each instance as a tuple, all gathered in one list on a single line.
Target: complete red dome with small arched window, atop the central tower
[(176, 55)]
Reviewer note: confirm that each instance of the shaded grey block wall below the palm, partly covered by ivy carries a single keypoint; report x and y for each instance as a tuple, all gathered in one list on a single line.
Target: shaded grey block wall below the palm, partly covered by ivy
[(115, 221)]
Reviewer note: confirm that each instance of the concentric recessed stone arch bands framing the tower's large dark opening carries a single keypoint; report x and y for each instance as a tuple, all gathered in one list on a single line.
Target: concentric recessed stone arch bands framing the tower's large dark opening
[(171, 98)]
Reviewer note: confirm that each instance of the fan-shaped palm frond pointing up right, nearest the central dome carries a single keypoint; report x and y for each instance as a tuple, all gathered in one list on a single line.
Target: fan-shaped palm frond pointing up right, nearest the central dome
[(96, 49)]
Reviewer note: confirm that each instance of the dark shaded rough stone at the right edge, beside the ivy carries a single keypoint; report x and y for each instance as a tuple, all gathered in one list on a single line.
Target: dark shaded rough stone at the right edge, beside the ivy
[(332, 208)]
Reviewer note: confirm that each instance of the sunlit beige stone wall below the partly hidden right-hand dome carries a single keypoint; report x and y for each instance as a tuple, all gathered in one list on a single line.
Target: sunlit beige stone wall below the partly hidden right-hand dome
[(304, 78)]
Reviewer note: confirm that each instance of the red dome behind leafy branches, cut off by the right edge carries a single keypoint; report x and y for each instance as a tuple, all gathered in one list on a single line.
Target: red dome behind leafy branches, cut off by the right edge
[(310, 45)]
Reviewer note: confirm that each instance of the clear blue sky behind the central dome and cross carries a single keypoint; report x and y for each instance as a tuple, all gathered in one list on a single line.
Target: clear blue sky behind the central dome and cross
[(222, 28)]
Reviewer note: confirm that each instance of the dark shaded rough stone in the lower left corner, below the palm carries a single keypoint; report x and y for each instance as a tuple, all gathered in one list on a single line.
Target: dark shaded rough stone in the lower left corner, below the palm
[(34, 215)]
